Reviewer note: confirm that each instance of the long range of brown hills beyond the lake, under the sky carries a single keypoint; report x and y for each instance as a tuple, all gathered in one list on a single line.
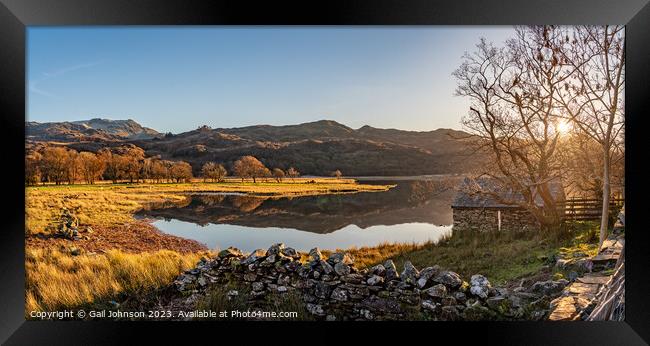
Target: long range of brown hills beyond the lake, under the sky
[(314, 148)]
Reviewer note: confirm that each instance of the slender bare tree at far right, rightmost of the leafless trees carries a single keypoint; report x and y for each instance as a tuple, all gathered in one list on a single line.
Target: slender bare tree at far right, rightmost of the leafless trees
[(593, 96)]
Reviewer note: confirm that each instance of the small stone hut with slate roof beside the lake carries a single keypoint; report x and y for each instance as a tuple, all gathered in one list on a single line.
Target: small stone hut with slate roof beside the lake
[(482, 205)]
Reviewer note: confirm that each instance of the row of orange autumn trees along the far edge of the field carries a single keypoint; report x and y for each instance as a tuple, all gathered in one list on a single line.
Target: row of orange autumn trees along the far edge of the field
[(61, 165)]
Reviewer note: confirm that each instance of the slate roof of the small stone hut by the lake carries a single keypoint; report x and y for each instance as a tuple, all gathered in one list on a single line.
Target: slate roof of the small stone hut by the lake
[(469, 195)]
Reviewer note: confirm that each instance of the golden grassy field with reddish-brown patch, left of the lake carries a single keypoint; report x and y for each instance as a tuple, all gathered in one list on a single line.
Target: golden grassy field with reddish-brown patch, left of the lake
[(117, 254)]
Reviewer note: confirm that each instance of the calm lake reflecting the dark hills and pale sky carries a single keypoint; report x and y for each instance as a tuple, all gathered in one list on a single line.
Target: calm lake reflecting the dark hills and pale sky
[(415, 211)]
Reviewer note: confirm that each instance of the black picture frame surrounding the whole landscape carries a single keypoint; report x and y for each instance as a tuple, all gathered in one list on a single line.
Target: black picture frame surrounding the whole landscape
[(16, 15)]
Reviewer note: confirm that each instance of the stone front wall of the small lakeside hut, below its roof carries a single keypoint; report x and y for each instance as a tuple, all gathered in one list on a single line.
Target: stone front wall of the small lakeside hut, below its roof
[(482, 220)]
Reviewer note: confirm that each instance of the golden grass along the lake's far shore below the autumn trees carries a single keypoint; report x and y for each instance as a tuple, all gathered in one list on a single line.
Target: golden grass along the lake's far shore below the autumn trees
[(110, 205)]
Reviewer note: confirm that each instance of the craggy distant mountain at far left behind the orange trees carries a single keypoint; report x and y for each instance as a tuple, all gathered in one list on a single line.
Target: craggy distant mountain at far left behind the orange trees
[(93, 130)]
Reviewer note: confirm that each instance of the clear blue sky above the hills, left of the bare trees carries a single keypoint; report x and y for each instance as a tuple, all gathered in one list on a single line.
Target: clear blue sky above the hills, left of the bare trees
[(174, 79)]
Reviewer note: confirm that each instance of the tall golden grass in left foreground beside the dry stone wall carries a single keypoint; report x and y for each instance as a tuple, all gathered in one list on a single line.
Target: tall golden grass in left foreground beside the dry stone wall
[(58, 280)]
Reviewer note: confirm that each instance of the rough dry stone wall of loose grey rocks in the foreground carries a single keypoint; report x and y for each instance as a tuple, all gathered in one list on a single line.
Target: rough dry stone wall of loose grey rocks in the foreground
[(334, 289)]
